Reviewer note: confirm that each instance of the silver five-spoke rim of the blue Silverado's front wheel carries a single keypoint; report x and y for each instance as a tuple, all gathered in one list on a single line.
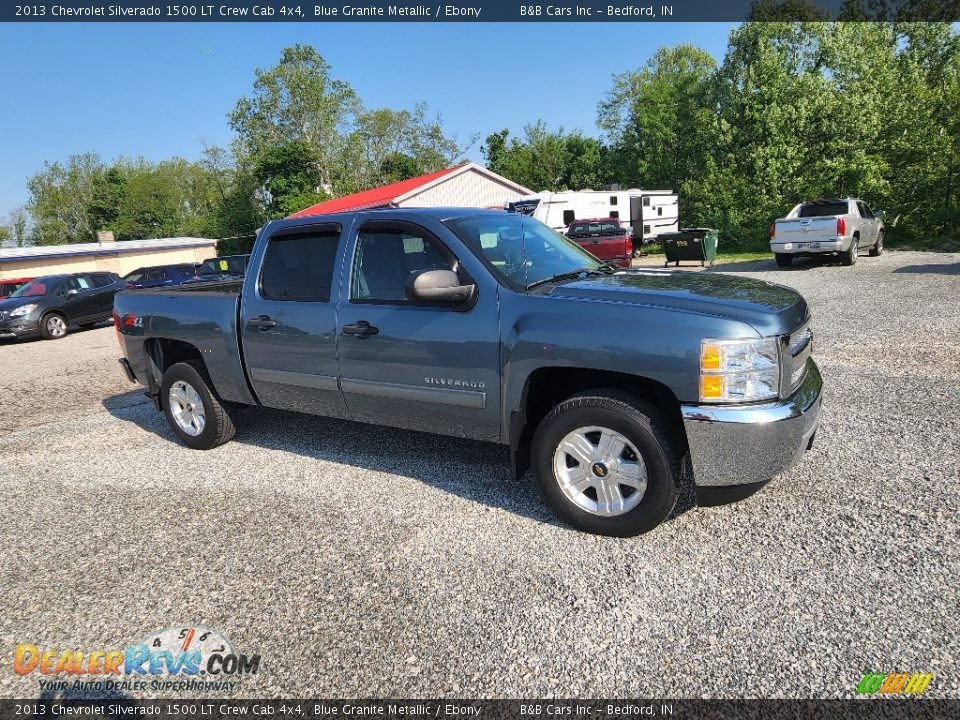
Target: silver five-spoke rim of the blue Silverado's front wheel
[(600, 471)]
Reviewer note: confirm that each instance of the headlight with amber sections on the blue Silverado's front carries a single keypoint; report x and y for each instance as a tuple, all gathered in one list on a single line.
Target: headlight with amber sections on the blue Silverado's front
[(739, 370)]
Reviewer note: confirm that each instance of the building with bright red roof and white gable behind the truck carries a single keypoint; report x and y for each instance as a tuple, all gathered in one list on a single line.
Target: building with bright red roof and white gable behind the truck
[(467, 185)]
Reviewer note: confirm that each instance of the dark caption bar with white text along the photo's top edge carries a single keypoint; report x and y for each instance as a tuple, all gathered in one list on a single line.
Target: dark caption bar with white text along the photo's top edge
[(478, 11)]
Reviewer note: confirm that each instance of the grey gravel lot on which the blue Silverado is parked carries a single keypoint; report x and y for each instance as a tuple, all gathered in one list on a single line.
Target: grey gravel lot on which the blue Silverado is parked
[(360, 561)]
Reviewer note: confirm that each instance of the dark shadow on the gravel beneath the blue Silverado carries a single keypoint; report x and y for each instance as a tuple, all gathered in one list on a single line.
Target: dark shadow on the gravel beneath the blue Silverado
[(471, 469)]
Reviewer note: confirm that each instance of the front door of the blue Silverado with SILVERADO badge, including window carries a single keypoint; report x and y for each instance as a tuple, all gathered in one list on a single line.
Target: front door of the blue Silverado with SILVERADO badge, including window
[(423, 367)]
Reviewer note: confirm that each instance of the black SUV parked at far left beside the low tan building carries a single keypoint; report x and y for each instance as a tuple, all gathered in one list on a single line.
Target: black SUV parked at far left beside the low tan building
[(50, 305)]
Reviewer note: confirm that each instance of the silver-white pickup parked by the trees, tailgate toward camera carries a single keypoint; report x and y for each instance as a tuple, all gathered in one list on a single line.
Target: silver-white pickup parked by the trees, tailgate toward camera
[(827, 227)]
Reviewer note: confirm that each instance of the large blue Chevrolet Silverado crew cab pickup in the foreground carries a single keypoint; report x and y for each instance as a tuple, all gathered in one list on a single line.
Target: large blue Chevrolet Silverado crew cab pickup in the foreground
[(613, 384)]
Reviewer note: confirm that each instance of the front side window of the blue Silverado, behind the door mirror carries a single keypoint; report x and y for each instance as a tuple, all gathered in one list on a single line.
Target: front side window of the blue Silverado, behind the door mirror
[(385, 259)]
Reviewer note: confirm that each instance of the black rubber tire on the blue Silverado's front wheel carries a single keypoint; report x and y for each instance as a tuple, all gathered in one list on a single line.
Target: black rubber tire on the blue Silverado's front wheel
[(643, 426)]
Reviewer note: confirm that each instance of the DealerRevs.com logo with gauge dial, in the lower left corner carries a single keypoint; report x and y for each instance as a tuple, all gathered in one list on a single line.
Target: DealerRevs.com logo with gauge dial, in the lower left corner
[(176, 658)]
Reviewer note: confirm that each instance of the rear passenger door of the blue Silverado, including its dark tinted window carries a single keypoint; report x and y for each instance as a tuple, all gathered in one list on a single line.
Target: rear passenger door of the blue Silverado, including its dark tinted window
[(288, 322)]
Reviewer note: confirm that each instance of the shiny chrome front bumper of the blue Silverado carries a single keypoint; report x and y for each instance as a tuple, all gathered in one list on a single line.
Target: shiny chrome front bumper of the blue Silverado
[(747, 444)]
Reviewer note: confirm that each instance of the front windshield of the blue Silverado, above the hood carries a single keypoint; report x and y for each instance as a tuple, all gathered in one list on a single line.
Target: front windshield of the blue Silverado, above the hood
[(521, 251)]
